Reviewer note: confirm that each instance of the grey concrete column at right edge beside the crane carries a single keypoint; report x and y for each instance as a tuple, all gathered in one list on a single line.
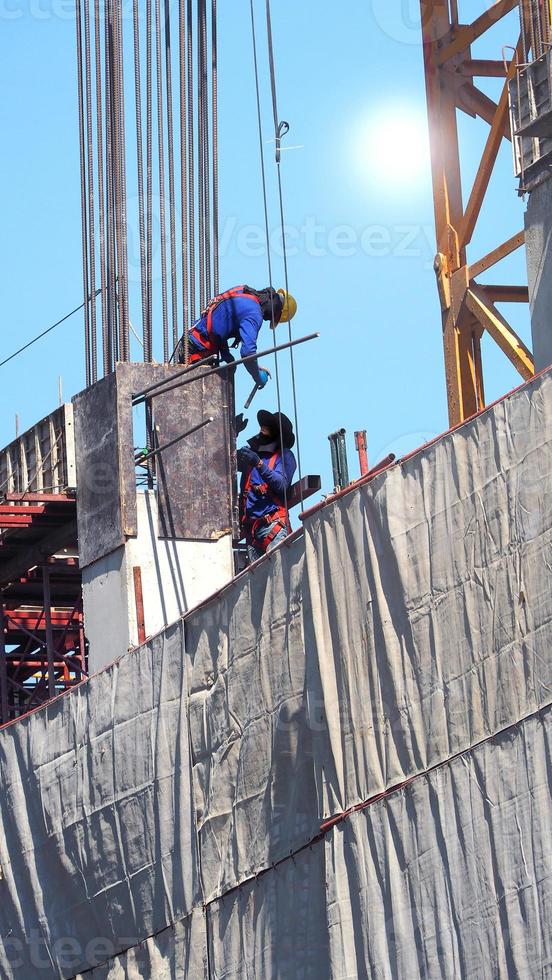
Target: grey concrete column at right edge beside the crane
[(538, 230)]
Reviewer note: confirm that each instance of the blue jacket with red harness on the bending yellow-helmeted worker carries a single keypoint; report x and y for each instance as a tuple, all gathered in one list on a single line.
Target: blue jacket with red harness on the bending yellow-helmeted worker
[(231, 316)]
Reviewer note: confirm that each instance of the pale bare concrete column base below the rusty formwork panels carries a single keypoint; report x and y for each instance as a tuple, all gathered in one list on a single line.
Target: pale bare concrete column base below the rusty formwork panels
[(176, 575)]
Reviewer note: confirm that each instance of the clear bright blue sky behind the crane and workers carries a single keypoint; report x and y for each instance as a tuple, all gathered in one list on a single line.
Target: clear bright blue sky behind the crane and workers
[(361, 244)]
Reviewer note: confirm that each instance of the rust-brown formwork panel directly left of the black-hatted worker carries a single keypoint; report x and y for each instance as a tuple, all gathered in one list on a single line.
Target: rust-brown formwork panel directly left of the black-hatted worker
[(195, 483)]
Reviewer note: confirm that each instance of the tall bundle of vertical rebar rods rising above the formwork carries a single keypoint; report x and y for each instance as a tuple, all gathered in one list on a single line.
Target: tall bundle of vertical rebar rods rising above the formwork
[(149, 212)]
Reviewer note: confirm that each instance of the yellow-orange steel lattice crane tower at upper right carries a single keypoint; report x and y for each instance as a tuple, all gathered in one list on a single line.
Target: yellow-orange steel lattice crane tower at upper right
[(468, 308)]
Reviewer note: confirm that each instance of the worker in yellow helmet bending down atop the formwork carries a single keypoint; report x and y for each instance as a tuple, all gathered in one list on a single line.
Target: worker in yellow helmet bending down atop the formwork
[(237, 315)]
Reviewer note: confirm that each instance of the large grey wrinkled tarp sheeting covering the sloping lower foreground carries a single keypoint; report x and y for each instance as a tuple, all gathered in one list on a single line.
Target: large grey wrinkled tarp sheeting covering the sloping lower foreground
[(339, 767)]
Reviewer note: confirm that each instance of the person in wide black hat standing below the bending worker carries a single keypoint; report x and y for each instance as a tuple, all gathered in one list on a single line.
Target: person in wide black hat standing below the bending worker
[(266, 474)]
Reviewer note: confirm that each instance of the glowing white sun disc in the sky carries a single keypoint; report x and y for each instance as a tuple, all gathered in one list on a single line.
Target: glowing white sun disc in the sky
[(392, 147)]
